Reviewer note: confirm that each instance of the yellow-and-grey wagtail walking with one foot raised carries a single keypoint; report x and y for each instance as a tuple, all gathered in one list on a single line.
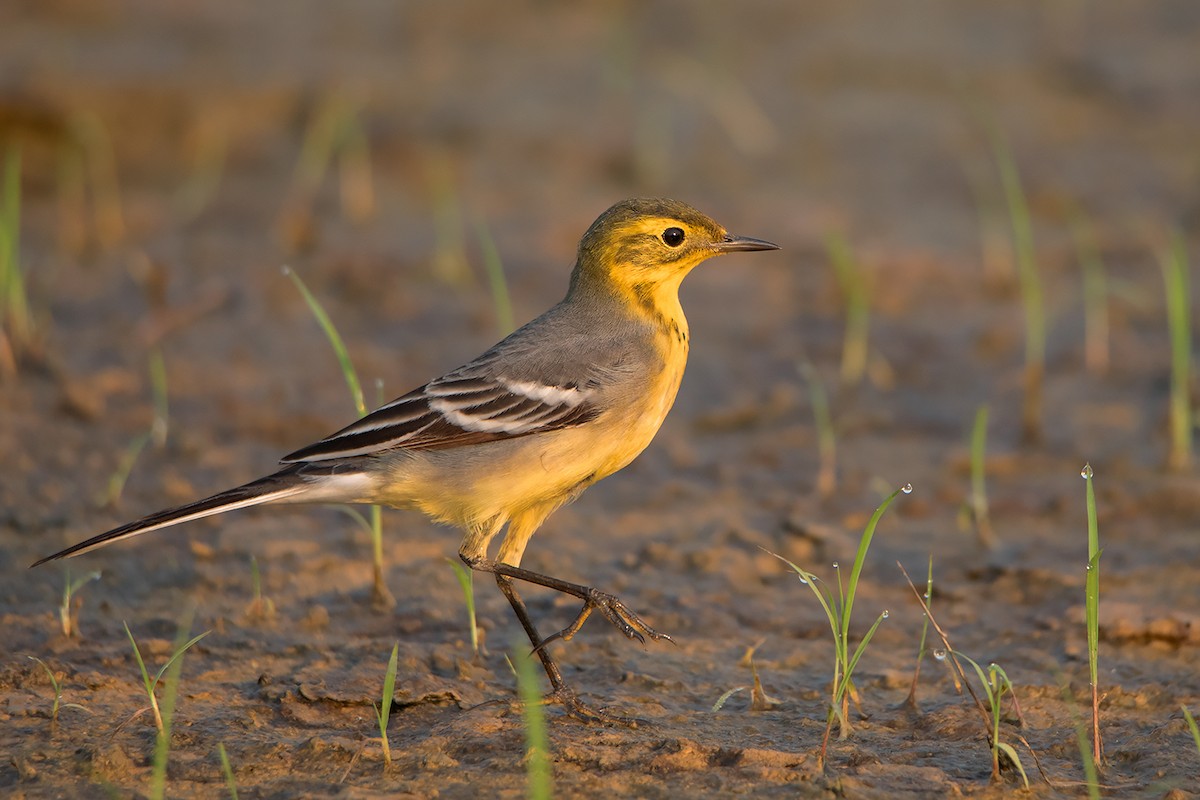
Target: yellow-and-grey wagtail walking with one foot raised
[(505, 441)]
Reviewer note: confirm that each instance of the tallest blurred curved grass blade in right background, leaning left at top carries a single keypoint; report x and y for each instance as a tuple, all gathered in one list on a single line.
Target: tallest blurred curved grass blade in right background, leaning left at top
[(1031, 288)]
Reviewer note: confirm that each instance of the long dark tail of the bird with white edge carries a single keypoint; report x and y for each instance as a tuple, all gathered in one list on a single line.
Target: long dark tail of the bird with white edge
[(296, 483)]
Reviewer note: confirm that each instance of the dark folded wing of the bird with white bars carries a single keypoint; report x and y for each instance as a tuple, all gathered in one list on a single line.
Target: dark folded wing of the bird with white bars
[(470, 406)]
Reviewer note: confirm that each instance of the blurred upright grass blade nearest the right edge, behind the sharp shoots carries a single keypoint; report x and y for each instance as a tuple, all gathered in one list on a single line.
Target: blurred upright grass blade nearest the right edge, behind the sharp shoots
[(1179, 320)]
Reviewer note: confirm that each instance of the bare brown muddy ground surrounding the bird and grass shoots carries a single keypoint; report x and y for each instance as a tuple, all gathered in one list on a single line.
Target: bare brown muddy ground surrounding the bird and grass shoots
[(165, 183)]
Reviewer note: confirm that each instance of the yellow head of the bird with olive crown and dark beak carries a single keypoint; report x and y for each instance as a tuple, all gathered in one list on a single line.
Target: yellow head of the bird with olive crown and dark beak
[(643, 249)]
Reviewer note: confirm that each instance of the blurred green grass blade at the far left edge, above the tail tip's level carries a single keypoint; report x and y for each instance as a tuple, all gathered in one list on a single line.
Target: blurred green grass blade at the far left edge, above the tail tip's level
[(16, 321)]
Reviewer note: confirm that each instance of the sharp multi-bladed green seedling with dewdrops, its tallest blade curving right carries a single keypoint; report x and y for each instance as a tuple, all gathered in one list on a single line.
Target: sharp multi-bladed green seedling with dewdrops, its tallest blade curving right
[(838, 611)]
